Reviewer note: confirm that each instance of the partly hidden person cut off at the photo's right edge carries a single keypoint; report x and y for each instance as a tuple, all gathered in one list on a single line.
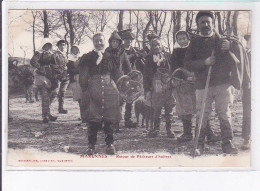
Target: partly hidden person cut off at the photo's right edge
[(246, 98)]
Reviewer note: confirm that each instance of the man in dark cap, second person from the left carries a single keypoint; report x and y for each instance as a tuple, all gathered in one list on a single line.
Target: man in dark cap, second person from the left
[(62, 74)]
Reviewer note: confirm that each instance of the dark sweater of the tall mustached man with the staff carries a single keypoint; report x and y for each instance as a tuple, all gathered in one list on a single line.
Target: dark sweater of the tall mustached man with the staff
[(199, 50)]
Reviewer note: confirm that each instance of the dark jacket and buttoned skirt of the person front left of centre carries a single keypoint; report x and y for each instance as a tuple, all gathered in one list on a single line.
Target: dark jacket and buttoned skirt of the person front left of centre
[(100, 93)]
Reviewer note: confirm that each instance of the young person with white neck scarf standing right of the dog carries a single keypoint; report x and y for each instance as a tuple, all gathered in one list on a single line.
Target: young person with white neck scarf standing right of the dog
[(156, 91)]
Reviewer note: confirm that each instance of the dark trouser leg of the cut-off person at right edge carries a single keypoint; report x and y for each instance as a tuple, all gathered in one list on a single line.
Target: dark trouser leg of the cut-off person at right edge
[(246, 101)]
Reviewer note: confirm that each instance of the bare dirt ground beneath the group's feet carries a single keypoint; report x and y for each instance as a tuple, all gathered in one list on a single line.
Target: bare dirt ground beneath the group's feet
[(27, 131)]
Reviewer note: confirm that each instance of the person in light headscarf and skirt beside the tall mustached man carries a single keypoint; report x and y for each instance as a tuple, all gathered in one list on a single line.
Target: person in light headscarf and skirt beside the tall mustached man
[(185, 93)]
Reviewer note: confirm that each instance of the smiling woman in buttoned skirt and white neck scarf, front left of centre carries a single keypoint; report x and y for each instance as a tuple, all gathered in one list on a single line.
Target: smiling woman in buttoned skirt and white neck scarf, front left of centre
[(100, 94)]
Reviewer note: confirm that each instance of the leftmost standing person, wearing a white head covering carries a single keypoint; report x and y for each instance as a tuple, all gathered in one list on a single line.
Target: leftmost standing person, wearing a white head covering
[(44, 61)]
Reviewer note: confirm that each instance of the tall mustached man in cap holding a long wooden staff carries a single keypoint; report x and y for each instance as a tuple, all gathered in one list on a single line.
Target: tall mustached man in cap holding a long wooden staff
[(206, 50)]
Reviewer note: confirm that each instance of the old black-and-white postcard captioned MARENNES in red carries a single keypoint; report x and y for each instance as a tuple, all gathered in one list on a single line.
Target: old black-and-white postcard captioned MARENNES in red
[(128, 87)]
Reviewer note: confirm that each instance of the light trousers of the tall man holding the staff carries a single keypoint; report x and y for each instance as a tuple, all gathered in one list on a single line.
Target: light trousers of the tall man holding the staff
[(223, 98)]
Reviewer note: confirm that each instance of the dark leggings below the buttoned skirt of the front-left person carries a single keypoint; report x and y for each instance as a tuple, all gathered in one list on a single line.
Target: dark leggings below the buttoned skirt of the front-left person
[(93, 130)]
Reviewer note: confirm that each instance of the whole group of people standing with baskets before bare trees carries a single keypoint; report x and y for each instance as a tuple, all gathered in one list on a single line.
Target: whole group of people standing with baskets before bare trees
[(102, 80)]
